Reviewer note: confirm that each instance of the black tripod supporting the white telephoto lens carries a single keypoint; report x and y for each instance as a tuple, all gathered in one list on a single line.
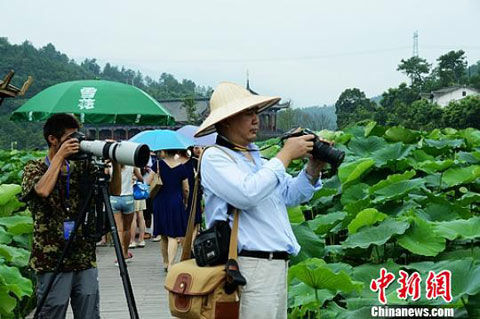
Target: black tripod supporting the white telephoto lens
[(99, 192)]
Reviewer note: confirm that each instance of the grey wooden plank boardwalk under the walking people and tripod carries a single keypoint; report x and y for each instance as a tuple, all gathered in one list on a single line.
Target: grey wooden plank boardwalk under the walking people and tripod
[(147, 277)]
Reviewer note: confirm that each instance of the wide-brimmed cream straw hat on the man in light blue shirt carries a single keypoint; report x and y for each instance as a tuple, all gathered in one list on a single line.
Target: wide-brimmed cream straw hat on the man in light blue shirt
[(229, 99)]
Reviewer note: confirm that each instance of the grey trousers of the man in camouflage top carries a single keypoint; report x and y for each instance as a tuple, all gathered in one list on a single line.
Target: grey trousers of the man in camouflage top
[(81, 287)]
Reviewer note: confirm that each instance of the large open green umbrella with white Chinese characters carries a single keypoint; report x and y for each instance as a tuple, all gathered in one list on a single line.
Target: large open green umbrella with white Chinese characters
[(95, 102)]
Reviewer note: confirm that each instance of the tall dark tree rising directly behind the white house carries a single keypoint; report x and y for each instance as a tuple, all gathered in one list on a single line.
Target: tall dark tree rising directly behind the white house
[(452, 68)]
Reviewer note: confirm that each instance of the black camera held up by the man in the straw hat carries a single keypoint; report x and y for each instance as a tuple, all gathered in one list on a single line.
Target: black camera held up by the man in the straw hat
[(322, 151)]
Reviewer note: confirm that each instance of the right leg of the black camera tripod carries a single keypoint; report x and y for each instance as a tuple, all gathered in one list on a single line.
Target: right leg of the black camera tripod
[(127, 286)]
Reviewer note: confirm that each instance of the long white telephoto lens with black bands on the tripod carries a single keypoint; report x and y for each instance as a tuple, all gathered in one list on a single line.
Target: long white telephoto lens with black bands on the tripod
[(125, 152)]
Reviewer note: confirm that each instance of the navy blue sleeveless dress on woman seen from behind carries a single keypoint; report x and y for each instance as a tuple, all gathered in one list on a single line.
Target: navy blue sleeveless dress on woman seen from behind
[(170, 218)]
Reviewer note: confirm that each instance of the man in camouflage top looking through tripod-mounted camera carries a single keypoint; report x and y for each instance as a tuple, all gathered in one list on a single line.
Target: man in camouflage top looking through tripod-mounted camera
[(52, 189)]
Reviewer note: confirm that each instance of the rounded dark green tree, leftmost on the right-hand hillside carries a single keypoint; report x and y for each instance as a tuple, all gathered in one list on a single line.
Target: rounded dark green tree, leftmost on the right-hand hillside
[(353, 106)]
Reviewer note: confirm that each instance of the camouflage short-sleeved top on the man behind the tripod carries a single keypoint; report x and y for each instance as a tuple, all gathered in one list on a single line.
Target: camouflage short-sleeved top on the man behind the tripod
[(49, 215)]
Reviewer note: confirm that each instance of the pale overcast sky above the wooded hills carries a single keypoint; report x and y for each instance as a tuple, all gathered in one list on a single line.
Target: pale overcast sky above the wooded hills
[(306, 51)]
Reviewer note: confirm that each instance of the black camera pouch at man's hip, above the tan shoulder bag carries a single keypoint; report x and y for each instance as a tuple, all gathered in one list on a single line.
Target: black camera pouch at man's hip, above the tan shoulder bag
[(210, 247)]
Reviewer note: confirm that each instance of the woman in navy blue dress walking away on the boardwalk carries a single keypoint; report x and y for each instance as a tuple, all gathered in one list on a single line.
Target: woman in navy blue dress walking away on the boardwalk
[(170, 218)]
